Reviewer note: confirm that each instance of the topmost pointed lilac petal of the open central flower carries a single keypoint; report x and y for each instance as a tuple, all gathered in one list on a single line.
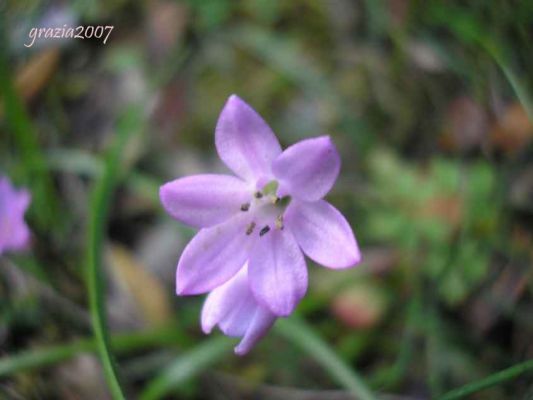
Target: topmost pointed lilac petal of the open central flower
[(244, 141)]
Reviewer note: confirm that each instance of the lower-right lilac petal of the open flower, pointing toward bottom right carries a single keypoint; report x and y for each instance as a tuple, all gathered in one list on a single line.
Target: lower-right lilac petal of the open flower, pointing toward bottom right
[(323, 233)]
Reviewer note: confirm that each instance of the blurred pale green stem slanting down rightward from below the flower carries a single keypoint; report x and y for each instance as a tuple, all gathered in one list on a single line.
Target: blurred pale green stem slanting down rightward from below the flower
[(298, 332)]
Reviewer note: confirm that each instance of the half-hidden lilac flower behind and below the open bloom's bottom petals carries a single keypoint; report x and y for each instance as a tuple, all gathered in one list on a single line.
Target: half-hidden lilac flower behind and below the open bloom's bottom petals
[(234, 309)]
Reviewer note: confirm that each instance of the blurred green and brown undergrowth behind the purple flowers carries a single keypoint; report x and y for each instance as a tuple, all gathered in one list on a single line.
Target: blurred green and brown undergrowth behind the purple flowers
[(428, 103)]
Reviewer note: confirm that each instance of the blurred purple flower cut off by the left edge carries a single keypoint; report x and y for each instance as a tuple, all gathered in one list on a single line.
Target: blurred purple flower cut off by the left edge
[(14, 233)]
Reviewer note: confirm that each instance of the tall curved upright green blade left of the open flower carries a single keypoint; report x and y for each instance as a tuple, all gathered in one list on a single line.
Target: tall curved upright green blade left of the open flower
[(99, 209)]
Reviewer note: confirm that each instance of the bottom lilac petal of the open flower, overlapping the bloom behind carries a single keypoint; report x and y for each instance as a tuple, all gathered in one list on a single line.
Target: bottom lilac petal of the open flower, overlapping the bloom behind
[(277, 273)]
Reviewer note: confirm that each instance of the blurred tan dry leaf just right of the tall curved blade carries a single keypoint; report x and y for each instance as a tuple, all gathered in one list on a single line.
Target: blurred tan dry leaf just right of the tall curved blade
[(149, 294)]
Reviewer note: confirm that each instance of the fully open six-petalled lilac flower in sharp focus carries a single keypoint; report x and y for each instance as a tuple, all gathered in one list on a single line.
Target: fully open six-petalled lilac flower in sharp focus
[(267, 216)]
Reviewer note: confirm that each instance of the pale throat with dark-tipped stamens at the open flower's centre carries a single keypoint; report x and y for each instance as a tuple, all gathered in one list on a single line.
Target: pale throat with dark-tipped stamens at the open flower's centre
[(266, 209)]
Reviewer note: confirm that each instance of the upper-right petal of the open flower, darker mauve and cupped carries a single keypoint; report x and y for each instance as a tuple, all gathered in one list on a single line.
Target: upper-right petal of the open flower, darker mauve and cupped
[(308, 169)]
